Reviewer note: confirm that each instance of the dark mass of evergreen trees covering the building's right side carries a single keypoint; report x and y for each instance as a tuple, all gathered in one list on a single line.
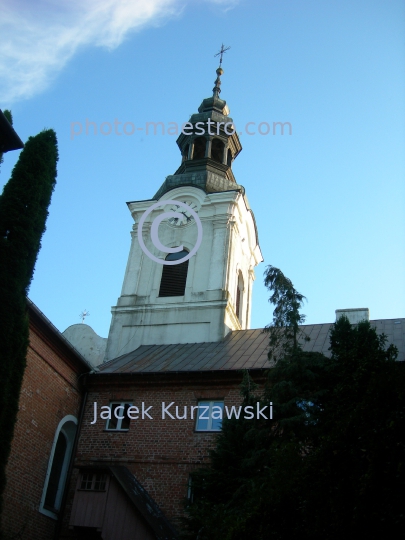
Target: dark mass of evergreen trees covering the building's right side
[(332, 461)]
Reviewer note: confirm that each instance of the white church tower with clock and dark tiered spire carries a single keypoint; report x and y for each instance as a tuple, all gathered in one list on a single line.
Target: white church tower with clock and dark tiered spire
[(200, 216)]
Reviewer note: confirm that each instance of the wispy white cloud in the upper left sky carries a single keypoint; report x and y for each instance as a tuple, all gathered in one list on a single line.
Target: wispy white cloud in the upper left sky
[(38, 38)]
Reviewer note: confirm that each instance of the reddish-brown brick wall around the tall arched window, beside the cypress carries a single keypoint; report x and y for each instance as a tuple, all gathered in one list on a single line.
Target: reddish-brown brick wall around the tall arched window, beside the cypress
[(49, 393)]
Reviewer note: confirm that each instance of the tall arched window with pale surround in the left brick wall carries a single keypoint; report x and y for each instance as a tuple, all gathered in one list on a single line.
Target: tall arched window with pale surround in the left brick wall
[(58, 465)]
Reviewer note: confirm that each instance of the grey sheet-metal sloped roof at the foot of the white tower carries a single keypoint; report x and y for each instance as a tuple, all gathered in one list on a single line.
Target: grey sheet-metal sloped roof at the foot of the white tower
[(241, 349)]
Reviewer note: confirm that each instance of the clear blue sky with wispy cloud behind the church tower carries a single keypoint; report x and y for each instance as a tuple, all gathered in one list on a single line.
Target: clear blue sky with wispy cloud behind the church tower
[(329, 200)]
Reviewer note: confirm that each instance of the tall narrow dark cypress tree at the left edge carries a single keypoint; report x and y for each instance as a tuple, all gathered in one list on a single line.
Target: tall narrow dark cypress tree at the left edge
[(23, 213)]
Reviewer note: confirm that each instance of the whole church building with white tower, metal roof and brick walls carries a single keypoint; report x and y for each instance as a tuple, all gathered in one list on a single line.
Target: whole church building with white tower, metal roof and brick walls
[(134, 415)]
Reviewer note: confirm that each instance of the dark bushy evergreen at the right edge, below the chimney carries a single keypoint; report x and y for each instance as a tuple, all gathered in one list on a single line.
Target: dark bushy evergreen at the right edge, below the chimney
[(357, 470)]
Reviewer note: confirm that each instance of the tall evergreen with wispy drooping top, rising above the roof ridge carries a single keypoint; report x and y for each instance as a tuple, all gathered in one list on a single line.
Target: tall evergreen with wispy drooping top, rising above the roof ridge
[(256, 466)]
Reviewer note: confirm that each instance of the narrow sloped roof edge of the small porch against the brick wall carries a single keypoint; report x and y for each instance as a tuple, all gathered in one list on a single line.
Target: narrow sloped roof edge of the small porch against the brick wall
[(144, 503)]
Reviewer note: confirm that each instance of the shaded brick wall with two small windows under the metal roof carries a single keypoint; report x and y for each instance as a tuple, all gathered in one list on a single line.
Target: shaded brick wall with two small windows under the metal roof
[(160, 453)]
